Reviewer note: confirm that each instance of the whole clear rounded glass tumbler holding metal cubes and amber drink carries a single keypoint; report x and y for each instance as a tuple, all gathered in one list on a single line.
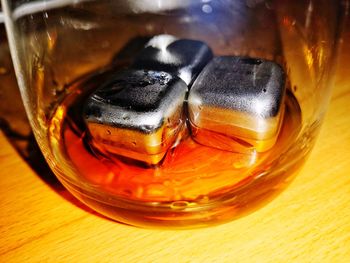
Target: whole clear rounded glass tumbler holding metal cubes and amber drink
[(174, 113)]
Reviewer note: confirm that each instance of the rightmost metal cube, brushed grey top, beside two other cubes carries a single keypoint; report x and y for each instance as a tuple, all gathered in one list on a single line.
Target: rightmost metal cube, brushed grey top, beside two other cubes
[(237, 100)]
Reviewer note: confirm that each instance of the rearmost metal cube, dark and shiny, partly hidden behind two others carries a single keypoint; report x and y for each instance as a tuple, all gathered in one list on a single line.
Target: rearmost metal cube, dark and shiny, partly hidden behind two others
[(182, 57)]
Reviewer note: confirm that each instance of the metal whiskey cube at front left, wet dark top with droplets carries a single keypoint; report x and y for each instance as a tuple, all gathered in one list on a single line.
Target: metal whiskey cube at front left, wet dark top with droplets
[(136, 114)]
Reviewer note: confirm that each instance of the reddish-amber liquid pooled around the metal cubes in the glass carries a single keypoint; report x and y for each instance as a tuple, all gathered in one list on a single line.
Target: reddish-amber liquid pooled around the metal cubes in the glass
[(191, 175)]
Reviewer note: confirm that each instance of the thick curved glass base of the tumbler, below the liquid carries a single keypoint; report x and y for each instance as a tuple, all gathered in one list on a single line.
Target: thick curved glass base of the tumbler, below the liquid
[(183, 214)]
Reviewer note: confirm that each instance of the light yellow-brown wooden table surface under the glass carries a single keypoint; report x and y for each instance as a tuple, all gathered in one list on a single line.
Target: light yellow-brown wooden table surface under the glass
[(308, 222)]
